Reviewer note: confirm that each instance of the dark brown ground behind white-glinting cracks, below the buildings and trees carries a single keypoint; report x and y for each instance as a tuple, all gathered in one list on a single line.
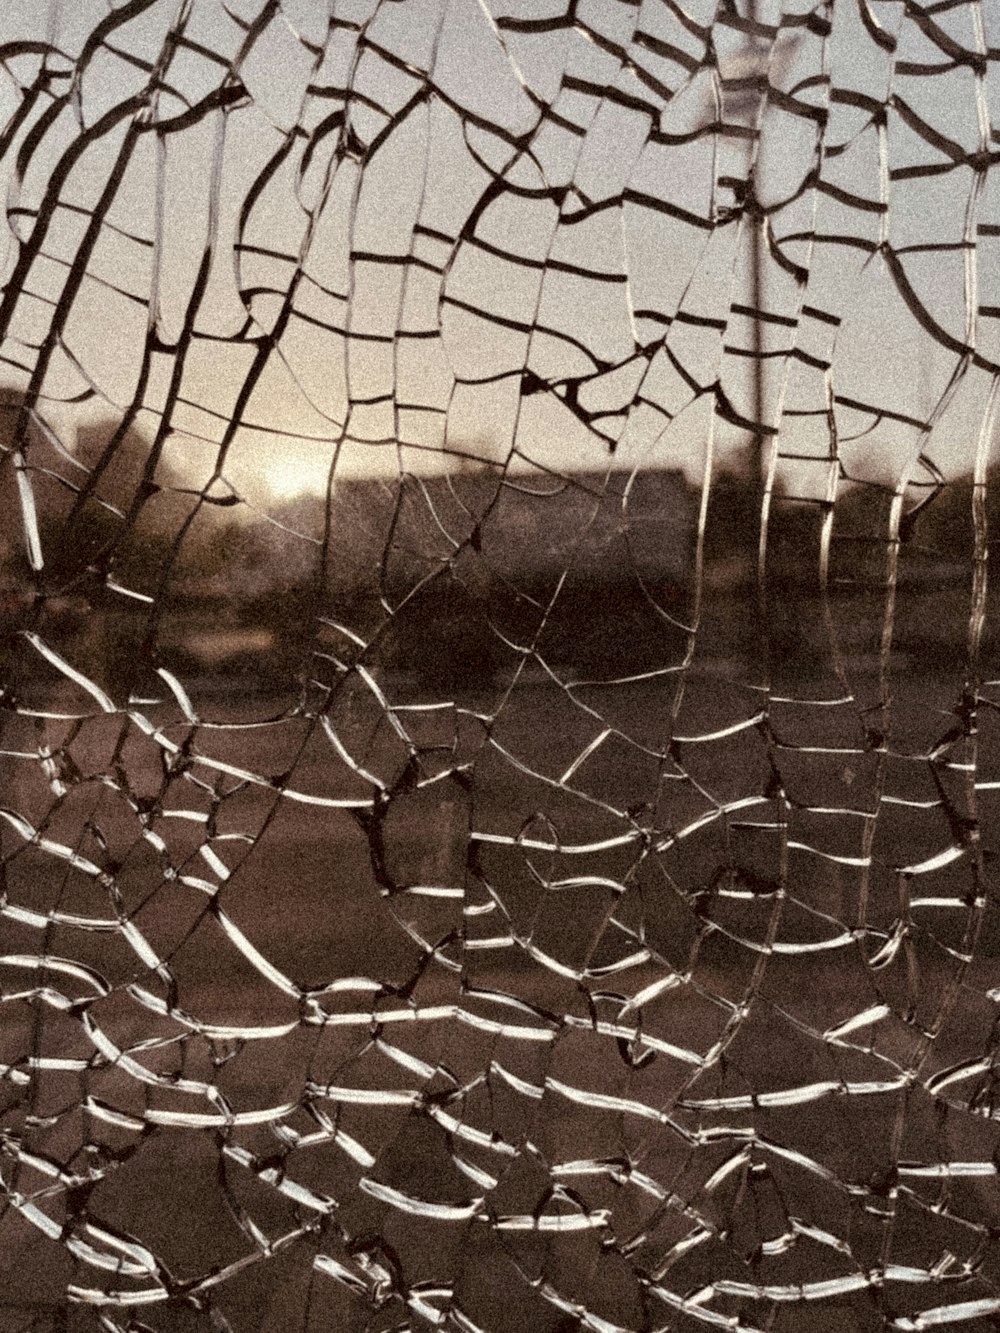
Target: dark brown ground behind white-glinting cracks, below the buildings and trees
[(547, 1007)]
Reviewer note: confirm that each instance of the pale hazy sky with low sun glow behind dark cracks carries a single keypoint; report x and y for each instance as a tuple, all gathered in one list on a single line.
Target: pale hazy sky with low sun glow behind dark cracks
[(513, 246)]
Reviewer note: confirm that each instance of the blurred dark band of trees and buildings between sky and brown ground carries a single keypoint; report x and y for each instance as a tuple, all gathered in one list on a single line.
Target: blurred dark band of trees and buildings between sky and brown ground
[(455, 581)]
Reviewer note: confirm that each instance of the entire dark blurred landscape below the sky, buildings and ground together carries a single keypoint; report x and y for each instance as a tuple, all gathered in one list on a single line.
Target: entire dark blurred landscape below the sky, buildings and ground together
[(490, 816)]
